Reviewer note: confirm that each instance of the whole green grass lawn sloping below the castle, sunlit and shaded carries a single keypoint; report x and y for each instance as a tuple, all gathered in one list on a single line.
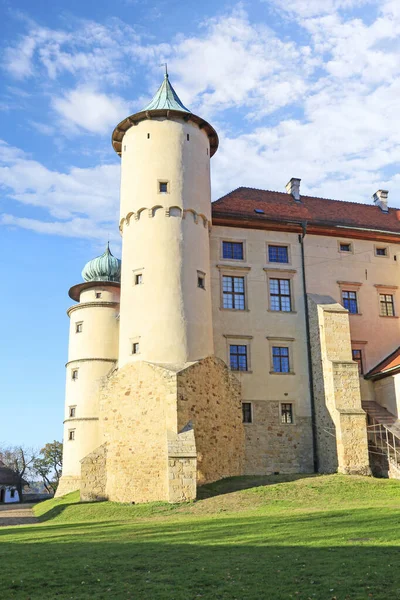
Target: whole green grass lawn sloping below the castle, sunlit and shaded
[(303, 537)]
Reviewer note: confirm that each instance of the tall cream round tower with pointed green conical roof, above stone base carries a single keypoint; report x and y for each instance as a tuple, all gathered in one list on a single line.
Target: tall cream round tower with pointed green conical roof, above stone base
[(165, 220)]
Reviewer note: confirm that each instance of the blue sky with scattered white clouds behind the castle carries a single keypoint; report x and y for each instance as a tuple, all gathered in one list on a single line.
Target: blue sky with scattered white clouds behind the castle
[(295, 88)]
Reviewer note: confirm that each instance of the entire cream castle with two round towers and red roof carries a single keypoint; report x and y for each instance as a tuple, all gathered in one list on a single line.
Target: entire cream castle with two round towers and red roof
[(250, 336)]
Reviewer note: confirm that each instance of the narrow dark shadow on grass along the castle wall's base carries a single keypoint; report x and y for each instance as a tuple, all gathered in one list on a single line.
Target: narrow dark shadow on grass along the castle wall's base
[(234, 484)]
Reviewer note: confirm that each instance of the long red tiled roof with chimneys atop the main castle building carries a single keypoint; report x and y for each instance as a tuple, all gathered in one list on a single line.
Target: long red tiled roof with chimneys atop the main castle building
[(280, 206)]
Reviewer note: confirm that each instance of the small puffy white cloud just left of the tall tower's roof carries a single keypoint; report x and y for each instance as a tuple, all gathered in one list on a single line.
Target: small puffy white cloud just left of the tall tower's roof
[(91, 110)]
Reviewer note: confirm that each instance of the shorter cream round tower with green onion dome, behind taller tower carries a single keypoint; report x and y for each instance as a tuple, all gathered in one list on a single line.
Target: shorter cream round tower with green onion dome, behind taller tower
[(92, 354)]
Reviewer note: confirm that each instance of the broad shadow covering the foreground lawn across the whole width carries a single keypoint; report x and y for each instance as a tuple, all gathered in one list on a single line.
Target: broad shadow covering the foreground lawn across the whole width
[(346, 555)]
